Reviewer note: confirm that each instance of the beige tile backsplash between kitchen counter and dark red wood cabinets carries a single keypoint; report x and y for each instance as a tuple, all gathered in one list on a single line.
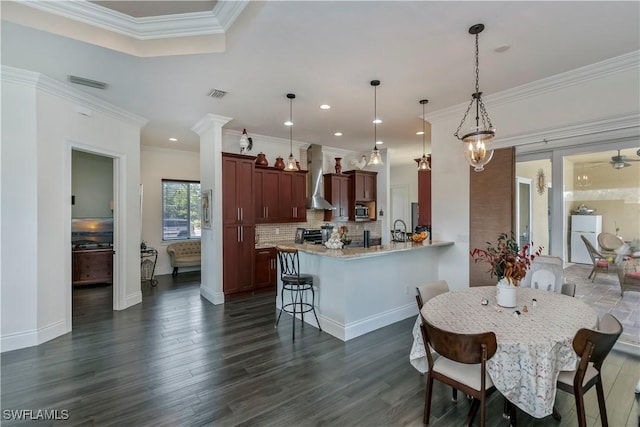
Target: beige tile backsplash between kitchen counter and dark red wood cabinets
[(274, 232)]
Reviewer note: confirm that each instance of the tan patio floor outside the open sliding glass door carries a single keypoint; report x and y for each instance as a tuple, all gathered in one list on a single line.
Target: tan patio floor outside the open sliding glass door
[(603, 294)]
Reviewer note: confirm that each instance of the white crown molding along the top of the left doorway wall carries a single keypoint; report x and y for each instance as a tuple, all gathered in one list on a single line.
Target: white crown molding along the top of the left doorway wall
[(71, 94)]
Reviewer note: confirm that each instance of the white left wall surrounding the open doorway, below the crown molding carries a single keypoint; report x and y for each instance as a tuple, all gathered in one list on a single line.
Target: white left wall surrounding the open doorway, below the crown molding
[(39, 132)]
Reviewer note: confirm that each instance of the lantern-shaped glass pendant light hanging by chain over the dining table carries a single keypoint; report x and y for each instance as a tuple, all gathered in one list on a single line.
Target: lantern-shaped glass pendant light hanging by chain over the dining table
[(476, 140)]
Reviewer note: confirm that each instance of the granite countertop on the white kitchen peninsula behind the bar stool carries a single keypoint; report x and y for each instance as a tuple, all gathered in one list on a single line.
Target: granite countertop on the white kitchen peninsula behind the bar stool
[(352, 253)]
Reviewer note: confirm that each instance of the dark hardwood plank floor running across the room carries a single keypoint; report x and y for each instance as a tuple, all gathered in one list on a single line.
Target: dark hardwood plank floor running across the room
[(176, 360)]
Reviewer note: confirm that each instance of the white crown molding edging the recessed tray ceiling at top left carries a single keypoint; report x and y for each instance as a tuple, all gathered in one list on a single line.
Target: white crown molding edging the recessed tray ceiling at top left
[(217, 21)]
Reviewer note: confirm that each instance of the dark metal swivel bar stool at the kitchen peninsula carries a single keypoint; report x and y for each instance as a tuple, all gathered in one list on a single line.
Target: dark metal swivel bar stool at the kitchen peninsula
[(297, 284)]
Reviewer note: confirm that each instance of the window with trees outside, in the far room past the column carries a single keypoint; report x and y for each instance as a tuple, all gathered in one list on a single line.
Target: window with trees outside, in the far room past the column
[(180, 210)]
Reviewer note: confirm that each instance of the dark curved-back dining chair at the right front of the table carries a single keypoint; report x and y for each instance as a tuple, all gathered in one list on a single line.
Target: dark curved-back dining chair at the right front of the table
[(592, 347)]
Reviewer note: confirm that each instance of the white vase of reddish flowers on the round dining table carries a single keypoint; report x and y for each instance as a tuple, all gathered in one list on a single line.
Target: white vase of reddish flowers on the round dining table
[(508, 263)]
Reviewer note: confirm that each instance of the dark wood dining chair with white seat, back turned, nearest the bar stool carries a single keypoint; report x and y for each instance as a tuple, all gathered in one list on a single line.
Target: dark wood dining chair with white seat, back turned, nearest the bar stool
[(462, 365)]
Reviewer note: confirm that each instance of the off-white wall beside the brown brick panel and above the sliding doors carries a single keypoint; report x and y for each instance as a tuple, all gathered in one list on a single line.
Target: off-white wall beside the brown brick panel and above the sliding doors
[(546, 108)]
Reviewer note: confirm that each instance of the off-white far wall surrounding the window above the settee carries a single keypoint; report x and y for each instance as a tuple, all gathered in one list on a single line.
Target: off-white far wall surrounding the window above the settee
[(157, 164)]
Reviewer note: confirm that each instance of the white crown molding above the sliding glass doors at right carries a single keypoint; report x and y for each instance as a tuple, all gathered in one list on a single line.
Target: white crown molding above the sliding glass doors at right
[(619, 64)]
